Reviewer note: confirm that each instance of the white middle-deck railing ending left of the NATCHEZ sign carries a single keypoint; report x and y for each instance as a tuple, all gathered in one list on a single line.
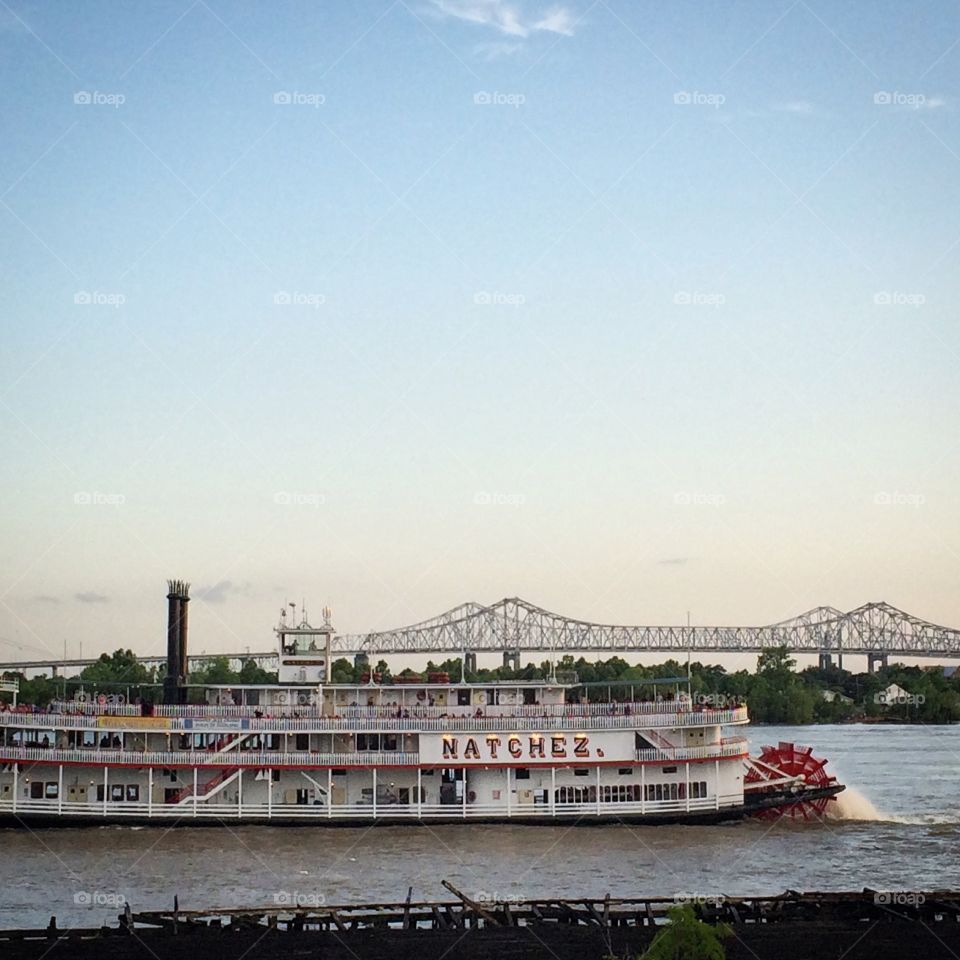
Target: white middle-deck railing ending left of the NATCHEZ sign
[(200, 758)]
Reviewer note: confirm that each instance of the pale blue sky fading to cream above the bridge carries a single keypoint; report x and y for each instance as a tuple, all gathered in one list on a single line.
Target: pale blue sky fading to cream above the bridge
[(628, 309)]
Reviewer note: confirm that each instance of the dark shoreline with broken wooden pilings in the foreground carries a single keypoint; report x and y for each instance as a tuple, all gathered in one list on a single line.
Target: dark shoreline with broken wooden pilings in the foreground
[(867, 925)]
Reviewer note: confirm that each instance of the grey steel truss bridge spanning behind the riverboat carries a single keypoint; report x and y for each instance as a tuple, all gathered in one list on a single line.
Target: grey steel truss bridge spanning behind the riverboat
[(514, 627)]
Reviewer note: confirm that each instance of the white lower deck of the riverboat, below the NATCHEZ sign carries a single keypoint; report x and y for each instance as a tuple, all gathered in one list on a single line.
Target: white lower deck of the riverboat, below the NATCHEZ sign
[(397, 794)]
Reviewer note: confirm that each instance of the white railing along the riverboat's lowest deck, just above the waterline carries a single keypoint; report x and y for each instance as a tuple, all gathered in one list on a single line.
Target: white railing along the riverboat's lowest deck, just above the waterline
[(120, 810)]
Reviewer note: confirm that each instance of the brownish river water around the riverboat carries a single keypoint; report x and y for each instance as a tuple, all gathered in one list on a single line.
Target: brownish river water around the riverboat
[(902, 833)]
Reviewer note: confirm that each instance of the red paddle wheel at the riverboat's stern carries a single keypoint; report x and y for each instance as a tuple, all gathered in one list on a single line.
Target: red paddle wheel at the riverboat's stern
[(786, 773)]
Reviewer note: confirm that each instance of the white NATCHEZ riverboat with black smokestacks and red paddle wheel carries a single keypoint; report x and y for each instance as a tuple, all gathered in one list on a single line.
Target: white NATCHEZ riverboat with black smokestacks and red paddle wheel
[(430, 749)]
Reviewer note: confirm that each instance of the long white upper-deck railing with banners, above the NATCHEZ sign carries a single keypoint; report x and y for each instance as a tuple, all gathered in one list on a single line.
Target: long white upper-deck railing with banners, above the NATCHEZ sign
[(374, 723)]
